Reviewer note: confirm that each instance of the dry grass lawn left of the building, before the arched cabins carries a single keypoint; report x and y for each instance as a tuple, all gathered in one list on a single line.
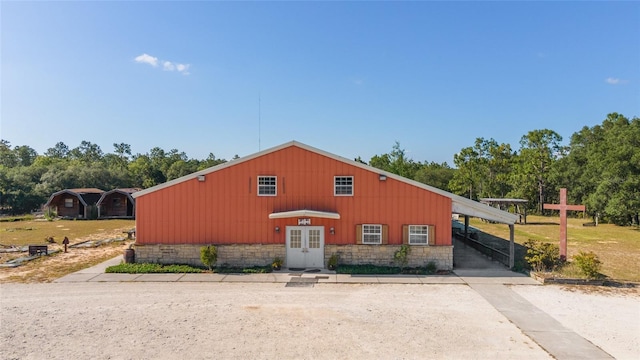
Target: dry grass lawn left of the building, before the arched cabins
[(34, 232)]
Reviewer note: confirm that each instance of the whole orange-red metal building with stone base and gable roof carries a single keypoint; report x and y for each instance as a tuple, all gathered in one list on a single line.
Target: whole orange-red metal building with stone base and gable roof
[(303, 205)]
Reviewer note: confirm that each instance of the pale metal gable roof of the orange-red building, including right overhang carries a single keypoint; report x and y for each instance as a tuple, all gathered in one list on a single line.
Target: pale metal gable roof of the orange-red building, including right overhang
[(459, 204)]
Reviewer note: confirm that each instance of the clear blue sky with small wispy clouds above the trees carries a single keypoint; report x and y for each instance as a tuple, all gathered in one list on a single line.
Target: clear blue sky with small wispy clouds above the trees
[(350, 78)]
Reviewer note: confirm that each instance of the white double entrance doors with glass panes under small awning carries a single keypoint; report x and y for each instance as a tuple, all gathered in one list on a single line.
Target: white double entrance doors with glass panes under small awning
[(305, 246)]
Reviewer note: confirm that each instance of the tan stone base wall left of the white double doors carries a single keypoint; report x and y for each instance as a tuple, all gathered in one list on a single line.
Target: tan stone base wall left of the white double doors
[(233, 255)]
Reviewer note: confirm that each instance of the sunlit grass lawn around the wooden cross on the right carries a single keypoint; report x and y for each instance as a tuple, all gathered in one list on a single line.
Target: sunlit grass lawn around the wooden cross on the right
[(617, 247)]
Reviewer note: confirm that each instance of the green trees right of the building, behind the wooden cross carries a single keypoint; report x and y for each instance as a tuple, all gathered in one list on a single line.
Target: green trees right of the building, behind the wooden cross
[(600, 168)]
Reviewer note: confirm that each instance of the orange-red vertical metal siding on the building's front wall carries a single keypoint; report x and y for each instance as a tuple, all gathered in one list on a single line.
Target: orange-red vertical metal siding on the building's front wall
[(225, 208)]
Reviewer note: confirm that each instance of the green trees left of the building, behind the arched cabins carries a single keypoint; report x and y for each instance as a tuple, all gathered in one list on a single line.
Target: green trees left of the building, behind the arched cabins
[(27, 179)]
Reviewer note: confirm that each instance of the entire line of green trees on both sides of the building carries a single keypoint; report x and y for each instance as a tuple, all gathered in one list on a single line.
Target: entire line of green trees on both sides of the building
[(600, 167)]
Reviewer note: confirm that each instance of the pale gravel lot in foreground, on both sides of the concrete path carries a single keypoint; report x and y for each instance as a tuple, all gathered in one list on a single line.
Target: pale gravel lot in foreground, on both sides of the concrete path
[(260, 321)]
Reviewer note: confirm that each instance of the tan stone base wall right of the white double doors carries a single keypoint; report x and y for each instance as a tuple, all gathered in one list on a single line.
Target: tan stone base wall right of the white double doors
[(442, 256)]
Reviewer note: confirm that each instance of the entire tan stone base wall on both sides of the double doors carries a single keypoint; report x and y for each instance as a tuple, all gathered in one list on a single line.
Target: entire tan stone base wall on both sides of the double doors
[(250, 255)]
